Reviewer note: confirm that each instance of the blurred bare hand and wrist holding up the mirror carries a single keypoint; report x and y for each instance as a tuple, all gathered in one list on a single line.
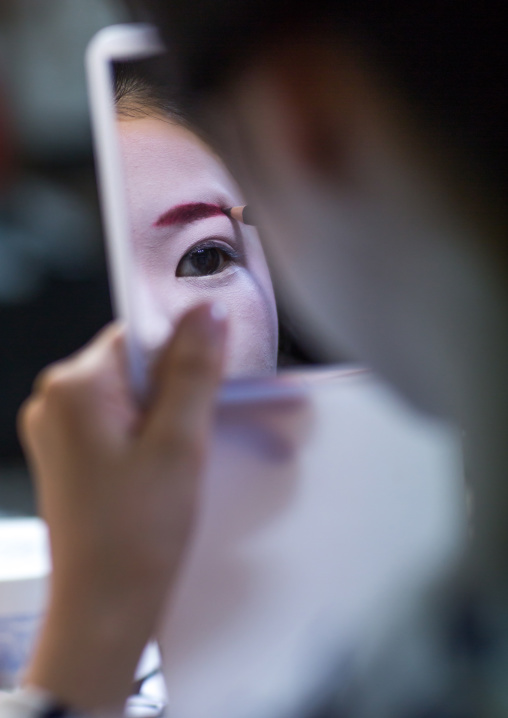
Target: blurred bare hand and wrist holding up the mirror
[(118, 487)]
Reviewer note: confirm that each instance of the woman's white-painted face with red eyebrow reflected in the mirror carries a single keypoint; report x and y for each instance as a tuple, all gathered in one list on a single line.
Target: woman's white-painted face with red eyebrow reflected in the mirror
[(186, 250)]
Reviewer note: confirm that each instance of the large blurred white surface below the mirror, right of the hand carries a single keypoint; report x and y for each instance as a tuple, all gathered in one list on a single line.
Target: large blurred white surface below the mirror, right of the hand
[(318, 517)]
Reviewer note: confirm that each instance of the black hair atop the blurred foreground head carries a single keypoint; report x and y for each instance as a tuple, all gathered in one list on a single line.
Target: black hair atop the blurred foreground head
[(448, 57)]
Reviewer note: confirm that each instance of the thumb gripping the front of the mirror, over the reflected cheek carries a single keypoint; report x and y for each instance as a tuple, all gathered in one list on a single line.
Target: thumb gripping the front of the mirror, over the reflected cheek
[(186, 378)]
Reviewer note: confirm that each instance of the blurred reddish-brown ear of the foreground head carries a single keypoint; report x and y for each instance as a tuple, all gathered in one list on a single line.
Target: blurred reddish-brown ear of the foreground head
[(295, 111)]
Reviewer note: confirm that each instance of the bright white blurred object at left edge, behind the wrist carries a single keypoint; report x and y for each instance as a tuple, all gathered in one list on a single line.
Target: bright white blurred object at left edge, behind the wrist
[(24, 574)]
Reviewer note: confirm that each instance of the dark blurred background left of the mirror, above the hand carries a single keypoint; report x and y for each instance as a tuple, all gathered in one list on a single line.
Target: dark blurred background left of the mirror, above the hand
[(53, 285)]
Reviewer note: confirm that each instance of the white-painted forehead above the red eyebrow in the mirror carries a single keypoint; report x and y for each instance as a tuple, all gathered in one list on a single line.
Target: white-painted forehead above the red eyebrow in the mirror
[(161, 157)]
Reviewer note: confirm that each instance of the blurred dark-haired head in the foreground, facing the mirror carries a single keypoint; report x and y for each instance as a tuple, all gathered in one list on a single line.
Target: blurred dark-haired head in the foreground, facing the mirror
[(370, 136)]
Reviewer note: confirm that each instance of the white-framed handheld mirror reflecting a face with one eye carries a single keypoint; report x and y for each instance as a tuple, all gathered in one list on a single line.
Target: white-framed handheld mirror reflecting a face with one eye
[(171, 244)]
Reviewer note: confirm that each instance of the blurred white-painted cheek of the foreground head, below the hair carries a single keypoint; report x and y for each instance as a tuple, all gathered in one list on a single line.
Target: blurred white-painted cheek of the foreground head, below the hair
[(375, 258)]
